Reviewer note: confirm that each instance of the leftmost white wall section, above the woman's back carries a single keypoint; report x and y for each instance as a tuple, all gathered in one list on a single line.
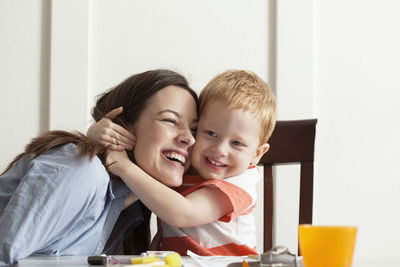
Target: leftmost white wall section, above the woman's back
[(23, 74)]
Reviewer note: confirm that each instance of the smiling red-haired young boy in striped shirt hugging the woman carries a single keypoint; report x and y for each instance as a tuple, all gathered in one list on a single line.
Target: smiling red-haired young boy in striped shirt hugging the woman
[(211, 215)]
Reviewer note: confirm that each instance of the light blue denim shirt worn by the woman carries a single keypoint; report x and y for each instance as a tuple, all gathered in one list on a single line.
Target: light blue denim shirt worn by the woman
[(57, 204)]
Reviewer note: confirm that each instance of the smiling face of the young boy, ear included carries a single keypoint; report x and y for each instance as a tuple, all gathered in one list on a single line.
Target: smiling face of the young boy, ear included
[(227, 142)]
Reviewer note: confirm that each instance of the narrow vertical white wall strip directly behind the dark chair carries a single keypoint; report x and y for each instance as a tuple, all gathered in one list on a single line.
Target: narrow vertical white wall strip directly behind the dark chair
[(294, 91)]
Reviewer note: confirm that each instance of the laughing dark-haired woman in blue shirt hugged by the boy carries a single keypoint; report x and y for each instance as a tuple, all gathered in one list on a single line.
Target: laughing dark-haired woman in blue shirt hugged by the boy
[(57, 197)]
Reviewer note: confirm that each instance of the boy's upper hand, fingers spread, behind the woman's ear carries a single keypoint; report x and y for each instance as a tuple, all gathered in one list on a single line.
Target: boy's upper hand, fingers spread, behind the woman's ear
[(111, 135)]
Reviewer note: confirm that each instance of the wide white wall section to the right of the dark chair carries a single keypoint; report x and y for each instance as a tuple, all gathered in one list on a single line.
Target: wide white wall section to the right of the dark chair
[(357, 91)]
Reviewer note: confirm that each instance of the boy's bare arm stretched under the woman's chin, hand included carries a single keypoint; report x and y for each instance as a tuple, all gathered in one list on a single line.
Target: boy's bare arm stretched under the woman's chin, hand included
[(200, 207)]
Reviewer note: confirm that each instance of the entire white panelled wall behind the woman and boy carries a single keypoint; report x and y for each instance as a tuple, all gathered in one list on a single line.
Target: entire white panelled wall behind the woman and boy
[(334, 60)]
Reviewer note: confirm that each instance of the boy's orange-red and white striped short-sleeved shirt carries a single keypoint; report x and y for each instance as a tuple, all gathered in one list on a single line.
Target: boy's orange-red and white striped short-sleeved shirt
[(232, 234)]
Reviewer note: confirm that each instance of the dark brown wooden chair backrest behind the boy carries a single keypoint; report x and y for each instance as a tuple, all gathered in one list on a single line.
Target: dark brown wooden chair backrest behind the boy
[(291, 142)]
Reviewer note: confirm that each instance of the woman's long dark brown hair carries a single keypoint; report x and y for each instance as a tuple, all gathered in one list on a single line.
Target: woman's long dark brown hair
[(133, 95)]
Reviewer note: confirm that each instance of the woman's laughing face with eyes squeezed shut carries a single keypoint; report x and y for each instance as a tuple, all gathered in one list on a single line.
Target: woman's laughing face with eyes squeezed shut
[(165, 135)]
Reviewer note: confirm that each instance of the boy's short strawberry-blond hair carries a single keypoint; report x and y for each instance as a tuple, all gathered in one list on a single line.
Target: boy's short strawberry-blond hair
[(240, 89)]
